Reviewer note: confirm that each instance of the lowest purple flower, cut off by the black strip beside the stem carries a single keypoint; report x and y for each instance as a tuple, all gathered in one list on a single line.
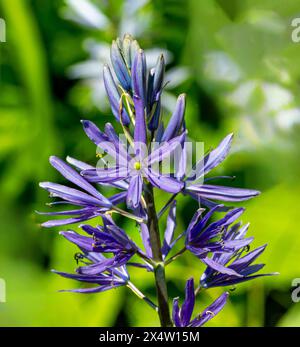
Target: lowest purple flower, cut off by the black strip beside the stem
[(182, 315)]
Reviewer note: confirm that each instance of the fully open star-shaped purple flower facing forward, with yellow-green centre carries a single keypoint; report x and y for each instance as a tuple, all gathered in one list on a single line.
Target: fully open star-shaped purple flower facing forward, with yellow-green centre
[(135, 168)]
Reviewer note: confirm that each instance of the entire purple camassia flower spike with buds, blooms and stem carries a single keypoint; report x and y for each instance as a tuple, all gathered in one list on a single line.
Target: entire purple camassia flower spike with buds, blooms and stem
[(150, 154)]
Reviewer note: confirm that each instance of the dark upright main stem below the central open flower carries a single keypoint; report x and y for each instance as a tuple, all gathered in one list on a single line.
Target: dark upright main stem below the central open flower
[(159, 269)]
